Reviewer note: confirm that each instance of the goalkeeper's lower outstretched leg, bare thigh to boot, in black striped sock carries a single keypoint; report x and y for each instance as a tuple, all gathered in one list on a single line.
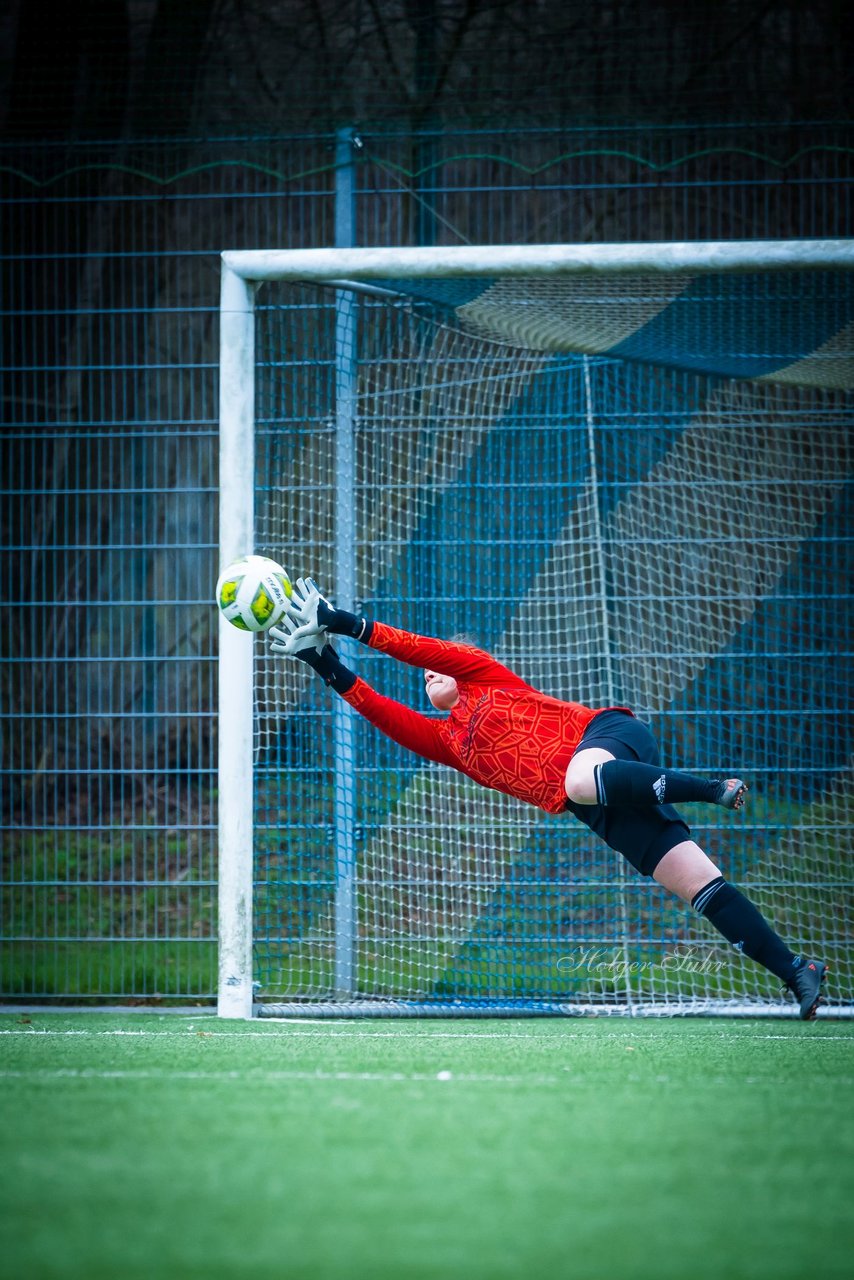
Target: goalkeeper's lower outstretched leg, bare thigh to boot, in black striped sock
[(689, 874)]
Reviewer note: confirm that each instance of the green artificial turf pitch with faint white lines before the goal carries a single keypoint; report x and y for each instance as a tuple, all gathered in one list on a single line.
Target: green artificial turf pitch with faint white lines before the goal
[(171, 1146)]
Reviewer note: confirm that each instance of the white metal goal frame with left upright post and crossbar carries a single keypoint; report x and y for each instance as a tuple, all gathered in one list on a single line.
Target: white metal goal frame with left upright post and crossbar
[(373, 272)]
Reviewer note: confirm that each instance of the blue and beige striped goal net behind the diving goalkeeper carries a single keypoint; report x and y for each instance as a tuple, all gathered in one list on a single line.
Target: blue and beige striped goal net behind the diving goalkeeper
[(632, 490)]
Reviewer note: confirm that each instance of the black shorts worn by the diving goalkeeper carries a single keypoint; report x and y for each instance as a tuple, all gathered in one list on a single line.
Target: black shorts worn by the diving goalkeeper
[(643, 836)]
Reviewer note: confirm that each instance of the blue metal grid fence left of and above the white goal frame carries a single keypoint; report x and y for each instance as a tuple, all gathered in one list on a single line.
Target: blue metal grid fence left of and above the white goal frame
[(109, 478)]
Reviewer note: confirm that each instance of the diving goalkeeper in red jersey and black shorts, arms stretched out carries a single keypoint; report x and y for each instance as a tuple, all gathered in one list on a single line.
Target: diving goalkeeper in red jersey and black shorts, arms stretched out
[(600, 765)]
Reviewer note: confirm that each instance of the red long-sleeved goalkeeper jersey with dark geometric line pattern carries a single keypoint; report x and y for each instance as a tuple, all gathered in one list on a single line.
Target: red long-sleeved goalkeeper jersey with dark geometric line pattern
[(501, 733)]
